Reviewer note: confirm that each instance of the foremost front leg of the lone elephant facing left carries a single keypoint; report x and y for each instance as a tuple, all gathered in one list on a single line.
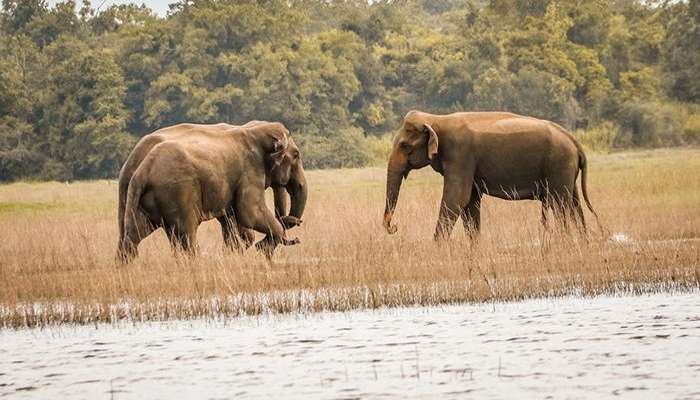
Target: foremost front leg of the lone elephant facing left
[(456, 194)]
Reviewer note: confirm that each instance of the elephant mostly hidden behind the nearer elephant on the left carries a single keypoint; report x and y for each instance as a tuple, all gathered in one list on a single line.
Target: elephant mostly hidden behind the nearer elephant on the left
[(236, 237)]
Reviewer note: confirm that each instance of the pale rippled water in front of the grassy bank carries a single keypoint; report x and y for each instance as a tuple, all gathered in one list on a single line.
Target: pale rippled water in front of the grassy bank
[(637, 347)]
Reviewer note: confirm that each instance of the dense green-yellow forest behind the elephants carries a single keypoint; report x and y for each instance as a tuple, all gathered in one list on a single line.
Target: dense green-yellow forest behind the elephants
[(79, 86)]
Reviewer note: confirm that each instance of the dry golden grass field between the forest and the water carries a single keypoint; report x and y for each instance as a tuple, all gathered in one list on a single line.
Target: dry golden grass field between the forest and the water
[(58, 242)]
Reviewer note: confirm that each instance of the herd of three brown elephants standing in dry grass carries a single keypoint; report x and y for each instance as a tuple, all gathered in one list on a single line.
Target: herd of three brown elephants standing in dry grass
[(180, 176)]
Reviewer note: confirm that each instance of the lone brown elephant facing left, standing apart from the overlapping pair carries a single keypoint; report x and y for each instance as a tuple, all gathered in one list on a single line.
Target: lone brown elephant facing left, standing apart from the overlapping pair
[(501, 154)]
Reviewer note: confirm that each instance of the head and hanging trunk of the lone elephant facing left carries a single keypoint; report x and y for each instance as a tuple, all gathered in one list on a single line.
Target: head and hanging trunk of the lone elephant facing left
[(414, 147)]
